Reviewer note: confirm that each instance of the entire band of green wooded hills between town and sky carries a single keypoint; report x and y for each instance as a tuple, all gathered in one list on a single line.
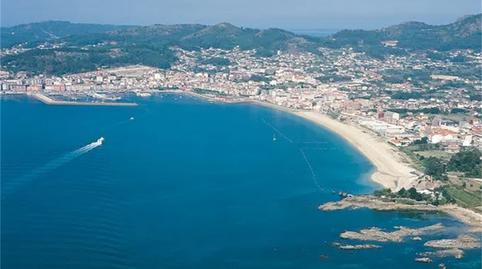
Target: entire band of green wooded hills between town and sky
[(84, 47)]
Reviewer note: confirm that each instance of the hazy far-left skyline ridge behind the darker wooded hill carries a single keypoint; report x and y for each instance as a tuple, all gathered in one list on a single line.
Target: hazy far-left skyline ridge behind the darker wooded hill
[(43, 31)]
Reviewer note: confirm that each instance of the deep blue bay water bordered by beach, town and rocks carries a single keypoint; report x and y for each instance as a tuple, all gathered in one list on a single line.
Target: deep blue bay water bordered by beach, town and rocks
[(186, 184)]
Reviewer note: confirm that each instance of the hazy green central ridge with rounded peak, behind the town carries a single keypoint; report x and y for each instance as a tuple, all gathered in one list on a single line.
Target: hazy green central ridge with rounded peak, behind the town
[(195, 37)]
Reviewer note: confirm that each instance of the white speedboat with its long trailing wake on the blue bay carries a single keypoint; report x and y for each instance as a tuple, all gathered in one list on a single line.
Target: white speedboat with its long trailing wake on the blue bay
[(50, 166)]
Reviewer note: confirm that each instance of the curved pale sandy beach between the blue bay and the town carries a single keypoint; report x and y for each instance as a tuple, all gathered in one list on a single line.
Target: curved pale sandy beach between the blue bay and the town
[(392, 171)]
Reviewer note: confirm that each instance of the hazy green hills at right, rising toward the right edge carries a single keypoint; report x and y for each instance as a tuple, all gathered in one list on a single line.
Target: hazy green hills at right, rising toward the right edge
[(465, 33)]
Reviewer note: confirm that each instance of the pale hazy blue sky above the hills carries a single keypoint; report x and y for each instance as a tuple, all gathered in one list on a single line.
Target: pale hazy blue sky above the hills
[(287, 14)]
